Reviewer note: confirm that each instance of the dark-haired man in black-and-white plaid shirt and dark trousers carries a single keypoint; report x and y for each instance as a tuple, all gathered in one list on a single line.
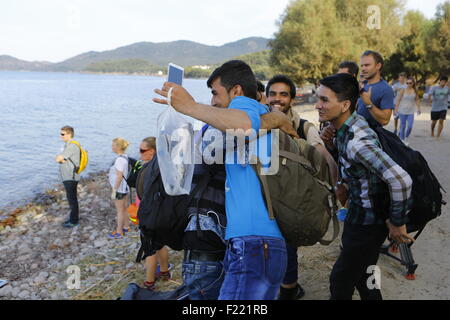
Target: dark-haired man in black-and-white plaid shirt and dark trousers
[(378, 189)]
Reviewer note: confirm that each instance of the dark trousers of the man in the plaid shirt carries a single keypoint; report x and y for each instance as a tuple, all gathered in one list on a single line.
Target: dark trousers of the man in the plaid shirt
[(361, 245)]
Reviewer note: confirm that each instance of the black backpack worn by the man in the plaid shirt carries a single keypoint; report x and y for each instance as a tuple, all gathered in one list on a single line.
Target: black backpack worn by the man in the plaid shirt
[(426, 190)]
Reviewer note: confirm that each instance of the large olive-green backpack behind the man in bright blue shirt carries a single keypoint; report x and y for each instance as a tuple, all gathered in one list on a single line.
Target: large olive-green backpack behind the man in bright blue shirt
[(300, 196)]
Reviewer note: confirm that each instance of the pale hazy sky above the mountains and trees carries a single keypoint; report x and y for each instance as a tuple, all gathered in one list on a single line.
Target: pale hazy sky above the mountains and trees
[(55, 30)]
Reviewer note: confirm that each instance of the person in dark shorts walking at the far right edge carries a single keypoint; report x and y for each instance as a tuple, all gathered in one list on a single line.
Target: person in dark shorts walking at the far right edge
[(440, 96)]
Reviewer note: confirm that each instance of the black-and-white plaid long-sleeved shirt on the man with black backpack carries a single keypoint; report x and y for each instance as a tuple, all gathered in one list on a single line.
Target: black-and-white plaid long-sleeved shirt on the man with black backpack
[(372, 176)]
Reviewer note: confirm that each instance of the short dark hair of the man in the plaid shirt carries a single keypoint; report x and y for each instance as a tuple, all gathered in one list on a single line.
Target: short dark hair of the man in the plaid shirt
[(345, 86)]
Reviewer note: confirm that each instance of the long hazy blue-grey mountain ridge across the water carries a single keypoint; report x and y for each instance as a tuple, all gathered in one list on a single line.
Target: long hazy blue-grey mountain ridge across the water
[(184, 53)]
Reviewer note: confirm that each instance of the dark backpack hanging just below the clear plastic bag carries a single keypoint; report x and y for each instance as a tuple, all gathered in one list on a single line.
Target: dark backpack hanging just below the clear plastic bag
[(162, 218)]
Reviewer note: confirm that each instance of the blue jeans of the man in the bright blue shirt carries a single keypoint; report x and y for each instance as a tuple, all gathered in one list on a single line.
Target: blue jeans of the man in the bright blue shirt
[(254, 268)]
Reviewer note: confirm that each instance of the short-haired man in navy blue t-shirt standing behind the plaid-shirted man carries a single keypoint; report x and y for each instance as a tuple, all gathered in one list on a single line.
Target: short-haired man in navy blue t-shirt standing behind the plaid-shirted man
[(377, 96)]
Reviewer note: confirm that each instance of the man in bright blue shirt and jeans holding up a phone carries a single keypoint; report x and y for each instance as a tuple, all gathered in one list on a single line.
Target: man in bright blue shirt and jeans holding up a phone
[(255, 261)]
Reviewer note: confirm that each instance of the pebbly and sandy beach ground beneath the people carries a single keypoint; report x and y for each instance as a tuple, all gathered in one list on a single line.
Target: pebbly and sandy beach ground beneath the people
[(36, 251)]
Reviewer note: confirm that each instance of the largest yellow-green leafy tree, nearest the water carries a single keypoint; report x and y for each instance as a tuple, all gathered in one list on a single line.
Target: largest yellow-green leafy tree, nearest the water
[(316, 35)]
